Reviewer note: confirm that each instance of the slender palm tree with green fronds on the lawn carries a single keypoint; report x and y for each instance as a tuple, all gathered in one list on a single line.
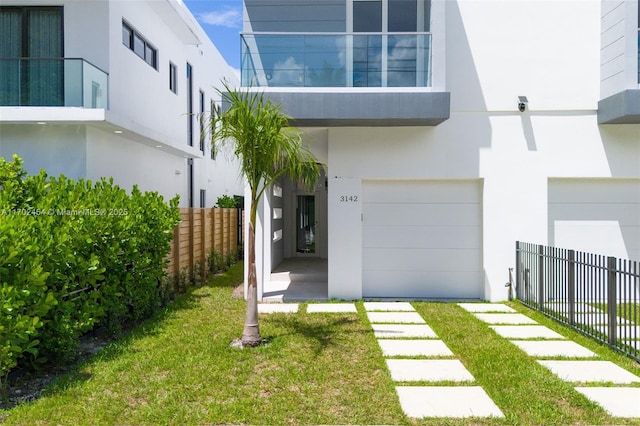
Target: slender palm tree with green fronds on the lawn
[(260, 137)]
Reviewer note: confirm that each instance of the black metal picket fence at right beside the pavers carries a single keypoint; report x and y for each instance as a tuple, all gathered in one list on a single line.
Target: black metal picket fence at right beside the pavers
[(596, 295)]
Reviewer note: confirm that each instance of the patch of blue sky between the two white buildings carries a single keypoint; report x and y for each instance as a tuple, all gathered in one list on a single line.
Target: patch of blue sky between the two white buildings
[(222, 20)]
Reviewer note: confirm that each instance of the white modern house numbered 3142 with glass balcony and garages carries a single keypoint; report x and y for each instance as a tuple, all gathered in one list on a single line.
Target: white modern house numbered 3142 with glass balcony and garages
[(449, 129)]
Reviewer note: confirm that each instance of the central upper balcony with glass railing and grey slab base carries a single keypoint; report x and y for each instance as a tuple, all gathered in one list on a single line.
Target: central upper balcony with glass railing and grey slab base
[(346, 79)]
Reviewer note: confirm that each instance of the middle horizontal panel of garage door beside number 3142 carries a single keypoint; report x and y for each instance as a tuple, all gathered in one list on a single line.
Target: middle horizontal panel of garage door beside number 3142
[(443, 237)]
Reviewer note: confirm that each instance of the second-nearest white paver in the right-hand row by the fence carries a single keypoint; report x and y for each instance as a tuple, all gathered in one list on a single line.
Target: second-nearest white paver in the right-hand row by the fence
[(590, 371)]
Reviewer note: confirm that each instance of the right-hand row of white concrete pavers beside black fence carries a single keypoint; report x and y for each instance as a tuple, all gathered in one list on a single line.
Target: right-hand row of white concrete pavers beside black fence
[(618, 401)]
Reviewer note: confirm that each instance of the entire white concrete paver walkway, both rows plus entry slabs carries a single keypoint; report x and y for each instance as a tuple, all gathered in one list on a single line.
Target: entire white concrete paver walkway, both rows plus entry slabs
[(418, 360)]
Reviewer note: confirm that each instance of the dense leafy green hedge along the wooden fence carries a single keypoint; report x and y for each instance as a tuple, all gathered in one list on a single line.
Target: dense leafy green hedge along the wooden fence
[(74, 254)]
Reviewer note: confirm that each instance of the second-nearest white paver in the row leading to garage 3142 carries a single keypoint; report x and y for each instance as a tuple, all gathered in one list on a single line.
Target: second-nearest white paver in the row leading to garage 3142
[(430, 370)]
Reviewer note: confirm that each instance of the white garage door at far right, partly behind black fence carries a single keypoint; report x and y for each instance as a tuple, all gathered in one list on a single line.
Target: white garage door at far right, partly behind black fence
[(599, 216)]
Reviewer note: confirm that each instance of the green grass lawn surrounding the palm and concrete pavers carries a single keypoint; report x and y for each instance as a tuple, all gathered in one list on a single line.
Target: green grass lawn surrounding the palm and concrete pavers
[(316, 369)]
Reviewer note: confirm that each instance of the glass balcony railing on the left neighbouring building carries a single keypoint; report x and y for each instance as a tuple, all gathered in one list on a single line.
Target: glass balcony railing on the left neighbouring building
[(52, 82)]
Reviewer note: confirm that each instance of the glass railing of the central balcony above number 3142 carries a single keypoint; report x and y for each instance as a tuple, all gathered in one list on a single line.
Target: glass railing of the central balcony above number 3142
[(336, 60)]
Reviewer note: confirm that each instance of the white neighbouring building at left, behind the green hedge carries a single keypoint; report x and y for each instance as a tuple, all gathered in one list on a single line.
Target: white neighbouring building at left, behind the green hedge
[(113, 88)]
